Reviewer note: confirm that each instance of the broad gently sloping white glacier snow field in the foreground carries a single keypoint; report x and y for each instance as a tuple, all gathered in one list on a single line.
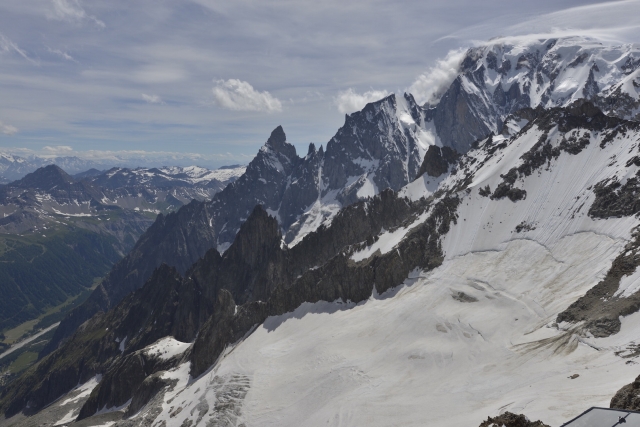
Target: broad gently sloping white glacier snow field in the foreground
[(421, 355)]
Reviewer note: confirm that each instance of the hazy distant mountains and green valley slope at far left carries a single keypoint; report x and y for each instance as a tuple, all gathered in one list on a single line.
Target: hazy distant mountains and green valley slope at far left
[(60, 232)]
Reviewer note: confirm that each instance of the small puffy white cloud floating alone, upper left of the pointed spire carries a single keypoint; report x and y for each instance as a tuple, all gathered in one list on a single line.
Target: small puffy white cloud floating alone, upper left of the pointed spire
[(238, 95)]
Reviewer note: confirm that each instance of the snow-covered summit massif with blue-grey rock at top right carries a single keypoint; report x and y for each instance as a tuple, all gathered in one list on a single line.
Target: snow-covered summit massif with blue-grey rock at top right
[(509, 74)]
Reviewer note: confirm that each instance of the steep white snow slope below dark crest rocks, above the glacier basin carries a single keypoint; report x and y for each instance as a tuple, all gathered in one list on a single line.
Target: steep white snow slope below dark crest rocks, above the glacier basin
[(558, 197)]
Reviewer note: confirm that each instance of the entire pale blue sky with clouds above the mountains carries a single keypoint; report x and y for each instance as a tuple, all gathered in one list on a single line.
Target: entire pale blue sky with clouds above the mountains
[(208, 80)]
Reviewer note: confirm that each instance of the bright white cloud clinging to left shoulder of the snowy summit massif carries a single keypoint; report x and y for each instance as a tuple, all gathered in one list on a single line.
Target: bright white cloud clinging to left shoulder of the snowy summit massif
[(432, 84)]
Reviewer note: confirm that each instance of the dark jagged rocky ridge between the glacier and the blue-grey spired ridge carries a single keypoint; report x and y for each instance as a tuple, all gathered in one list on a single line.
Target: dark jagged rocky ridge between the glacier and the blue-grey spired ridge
[(249, 271)]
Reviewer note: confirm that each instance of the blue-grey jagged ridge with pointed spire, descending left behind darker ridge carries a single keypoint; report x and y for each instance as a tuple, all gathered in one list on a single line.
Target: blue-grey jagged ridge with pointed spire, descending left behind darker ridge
[(379, 147)]
